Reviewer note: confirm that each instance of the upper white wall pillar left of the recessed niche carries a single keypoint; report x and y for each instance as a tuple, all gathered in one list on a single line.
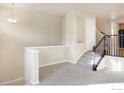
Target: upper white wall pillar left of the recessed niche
[(70, 28)]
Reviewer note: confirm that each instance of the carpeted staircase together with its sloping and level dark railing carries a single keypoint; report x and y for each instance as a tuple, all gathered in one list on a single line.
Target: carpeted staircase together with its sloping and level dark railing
[(108, 45)]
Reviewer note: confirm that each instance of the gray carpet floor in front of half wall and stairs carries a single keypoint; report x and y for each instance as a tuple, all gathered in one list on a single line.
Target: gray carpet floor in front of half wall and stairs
[(71, 74)]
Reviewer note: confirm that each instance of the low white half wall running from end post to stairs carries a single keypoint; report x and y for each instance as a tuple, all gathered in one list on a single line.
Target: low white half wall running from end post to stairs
[(53, 54)]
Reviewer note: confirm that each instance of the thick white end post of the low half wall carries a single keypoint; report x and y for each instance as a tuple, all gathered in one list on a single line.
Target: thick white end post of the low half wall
[(31, 66)]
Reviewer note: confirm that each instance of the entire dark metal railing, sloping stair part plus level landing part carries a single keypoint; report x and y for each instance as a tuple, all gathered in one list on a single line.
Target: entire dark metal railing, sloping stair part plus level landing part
[(112, 45)]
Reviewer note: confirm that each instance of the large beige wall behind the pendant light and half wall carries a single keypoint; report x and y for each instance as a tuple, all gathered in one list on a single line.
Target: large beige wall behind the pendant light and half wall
[(34, 28)]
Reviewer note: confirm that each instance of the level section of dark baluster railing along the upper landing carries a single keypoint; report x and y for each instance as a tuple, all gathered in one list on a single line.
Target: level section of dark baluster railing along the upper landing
[(115, 45)]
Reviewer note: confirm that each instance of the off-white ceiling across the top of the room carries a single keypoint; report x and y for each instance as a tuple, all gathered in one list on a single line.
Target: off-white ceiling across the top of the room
[(114, 11)]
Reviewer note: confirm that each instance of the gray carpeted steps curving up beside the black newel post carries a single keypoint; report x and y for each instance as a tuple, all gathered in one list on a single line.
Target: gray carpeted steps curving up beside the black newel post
[(89, 59)]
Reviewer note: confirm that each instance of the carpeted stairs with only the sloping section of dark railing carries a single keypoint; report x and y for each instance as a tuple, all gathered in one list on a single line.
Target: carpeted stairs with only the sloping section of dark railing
[(91, 59)]
